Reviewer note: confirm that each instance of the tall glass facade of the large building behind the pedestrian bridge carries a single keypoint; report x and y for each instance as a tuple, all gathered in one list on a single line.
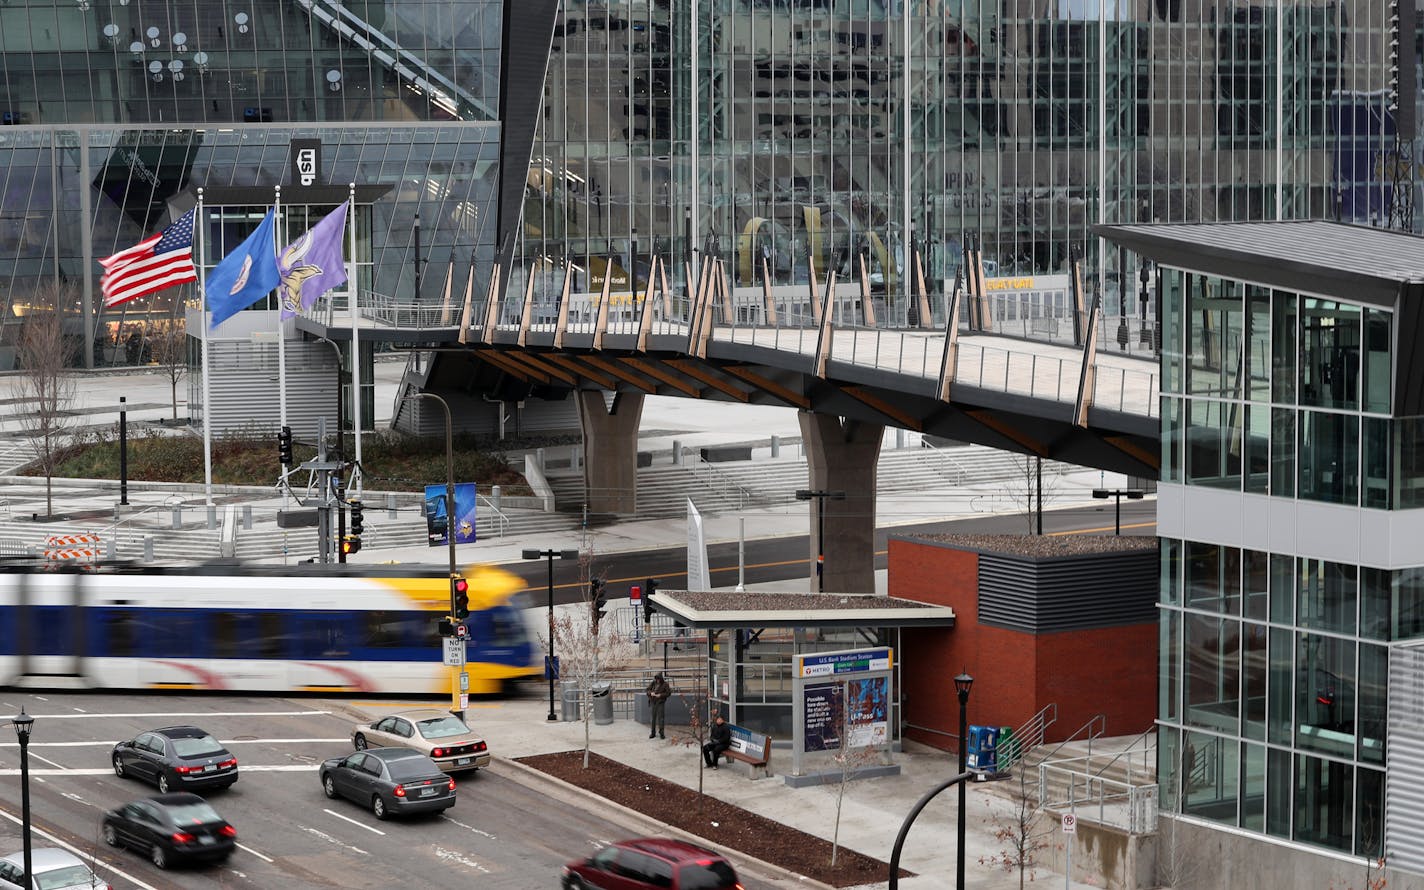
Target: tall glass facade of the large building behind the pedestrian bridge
[(788, 137)]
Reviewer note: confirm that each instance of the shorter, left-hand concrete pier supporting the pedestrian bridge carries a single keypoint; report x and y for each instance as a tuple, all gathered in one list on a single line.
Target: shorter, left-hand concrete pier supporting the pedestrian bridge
[(610, 451)]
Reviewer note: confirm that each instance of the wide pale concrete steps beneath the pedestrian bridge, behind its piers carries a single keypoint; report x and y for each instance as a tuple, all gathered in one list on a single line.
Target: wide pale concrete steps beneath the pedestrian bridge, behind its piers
[(760, 483)]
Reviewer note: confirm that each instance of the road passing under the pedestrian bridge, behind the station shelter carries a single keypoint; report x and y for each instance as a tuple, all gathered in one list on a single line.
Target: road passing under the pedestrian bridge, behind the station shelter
[(781, 559)]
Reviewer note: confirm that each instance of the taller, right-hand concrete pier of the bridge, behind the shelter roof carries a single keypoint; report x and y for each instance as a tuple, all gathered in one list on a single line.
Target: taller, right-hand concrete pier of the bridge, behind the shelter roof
[(842, 456)]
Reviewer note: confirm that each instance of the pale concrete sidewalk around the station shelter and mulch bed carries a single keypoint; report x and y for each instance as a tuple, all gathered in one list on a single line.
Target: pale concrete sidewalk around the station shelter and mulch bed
[(871, 818)]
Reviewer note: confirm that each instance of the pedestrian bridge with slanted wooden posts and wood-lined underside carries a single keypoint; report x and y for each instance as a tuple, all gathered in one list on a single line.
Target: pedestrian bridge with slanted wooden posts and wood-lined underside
[(993, 370)]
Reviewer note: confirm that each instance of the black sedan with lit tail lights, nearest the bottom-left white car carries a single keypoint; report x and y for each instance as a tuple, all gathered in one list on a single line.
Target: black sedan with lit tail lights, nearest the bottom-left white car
[(172, 829)]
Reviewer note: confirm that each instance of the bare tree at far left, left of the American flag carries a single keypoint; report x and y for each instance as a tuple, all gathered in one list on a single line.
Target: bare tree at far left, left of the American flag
[(46, 388)]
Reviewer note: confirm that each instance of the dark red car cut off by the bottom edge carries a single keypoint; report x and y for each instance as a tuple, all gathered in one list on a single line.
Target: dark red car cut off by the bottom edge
[(651, 864)]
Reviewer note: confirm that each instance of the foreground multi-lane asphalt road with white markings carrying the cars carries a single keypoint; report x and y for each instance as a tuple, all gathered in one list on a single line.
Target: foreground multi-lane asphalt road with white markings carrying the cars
[(501, 835)]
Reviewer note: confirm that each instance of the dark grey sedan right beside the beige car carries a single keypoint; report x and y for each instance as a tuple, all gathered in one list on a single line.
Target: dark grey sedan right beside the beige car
[(389, 781)]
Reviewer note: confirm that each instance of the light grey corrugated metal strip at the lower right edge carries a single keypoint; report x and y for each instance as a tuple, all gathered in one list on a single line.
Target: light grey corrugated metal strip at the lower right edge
[(1405, 761)]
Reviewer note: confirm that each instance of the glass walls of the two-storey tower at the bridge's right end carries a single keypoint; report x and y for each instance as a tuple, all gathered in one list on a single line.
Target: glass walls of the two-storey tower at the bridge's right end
[(1272, 713)]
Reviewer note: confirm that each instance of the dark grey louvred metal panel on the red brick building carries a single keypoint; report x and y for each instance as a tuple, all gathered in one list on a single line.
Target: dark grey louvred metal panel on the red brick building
[(1070, 593)]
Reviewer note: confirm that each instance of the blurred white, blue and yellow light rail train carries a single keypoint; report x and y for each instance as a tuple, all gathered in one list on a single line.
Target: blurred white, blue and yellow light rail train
[(230, 629)]
